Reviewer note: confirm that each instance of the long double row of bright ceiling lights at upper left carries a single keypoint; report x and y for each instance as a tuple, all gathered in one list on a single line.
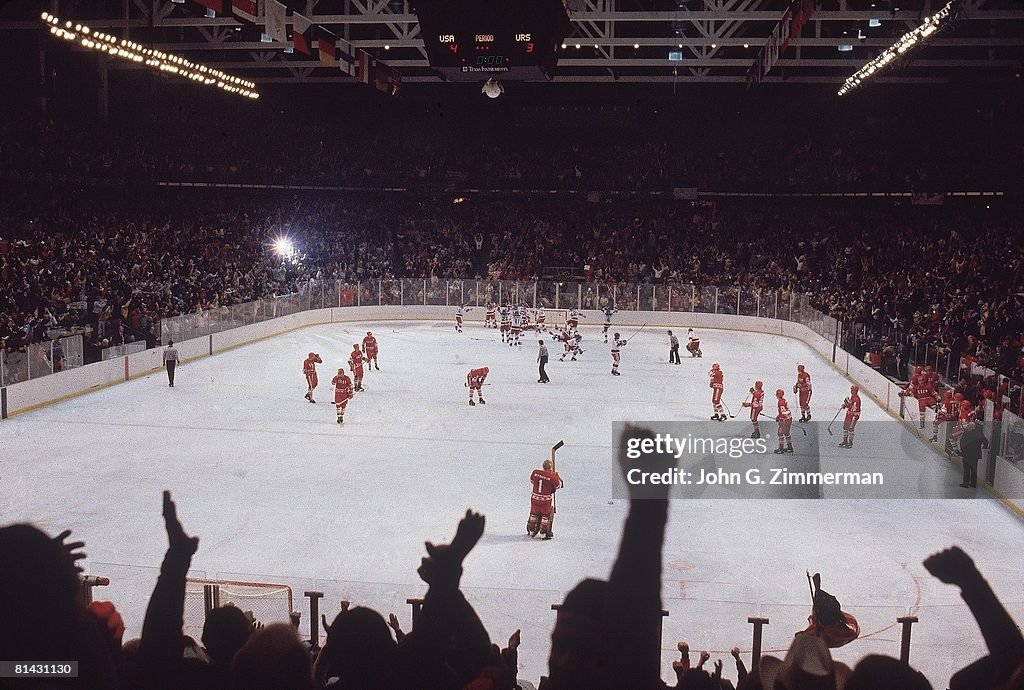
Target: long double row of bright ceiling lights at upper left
[(155, 60)]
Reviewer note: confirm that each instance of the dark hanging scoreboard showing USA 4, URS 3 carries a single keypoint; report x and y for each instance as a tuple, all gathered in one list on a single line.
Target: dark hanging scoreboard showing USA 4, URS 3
[(476, 40)]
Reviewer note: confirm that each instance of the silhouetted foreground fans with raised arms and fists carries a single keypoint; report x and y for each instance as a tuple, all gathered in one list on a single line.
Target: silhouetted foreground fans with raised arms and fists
[(607, 633)]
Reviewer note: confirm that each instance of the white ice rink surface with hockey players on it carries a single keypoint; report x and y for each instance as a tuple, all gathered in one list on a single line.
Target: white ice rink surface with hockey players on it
[(278, 492)]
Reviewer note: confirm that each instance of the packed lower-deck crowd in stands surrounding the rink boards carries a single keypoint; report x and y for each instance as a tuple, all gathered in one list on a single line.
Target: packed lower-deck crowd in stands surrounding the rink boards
[(914, 280)]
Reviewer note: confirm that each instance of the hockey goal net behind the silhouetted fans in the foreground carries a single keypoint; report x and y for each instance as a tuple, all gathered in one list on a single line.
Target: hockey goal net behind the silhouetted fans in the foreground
[(269, 602)]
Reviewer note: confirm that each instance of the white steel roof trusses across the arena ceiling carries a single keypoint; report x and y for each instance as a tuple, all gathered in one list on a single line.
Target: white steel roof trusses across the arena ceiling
[(627, 41)]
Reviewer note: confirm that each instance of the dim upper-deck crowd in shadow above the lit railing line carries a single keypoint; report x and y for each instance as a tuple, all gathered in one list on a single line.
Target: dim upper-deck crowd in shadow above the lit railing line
[(866, 154)]
